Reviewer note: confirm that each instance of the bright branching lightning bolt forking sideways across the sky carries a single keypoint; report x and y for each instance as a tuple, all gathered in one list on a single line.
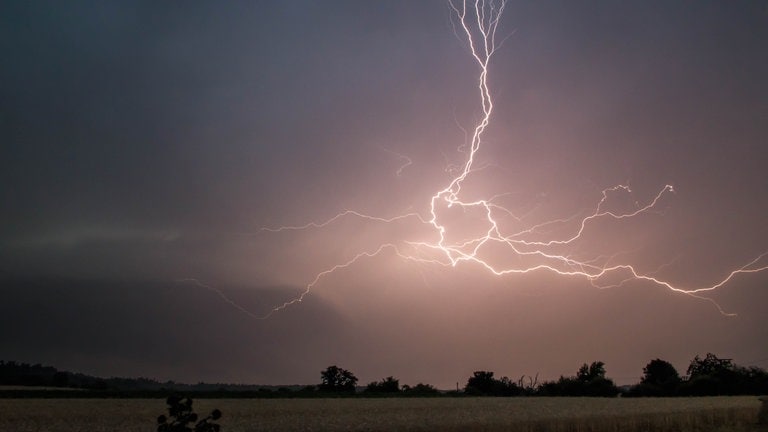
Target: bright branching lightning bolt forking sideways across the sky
[(478, 21)]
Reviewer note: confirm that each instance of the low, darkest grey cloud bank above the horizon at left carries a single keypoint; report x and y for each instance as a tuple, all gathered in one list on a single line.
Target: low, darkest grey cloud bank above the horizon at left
[(167, 330)]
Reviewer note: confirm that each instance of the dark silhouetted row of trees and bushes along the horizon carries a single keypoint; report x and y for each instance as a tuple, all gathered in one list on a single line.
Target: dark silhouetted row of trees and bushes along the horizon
[(705, 376)]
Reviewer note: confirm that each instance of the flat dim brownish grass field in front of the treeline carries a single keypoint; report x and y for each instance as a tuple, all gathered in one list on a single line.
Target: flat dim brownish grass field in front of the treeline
[(397, 414)]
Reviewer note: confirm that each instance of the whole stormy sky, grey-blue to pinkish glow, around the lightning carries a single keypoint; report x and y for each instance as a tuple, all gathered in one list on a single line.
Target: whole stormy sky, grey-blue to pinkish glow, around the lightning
[(144, 144)]
